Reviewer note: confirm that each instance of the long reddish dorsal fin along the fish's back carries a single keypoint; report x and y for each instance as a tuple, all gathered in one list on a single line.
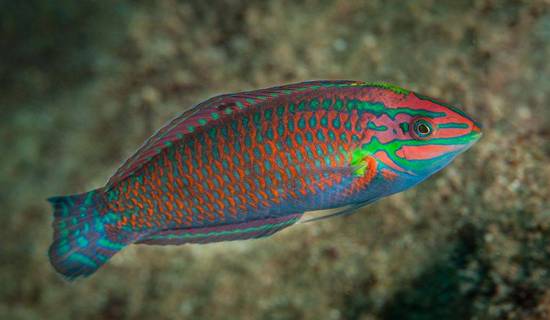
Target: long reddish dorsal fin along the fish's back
[(211, 110)]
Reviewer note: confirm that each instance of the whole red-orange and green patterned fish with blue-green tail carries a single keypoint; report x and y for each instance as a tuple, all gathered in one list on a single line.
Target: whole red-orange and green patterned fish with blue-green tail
[(247, 165)]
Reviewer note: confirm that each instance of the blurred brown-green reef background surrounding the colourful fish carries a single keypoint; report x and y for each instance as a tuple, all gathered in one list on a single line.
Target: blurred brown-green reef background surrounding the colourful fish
[(83, 83)]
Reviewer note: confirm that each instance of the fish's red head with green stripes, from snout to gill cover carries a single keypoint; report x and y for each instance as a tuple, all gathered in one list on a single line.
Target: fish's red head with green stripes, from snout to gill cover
[(413, 136)]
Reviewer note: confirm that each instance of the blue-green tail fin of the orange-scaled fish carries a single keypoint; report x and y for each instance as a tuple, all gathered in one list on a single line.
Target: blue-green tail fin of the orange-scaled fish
[(83, 239)]
